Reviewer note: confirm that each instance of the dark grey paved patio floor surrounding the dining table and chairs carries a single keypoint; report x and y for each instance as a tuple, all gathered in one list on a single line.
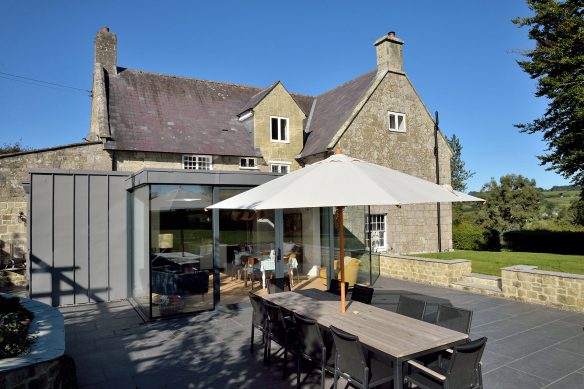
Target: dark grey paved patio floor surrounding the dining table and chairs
[(529, 346)]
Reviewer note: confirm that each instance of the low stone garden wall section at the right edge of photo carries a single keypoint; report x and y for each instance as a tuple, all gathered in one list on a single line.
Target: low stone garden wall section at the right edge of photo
[(527, 284)]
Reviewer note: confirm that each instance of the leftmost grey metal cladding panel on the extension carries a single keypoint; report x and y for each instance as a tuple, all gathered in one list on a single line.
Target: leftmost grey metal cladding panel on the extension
[(41, 247)]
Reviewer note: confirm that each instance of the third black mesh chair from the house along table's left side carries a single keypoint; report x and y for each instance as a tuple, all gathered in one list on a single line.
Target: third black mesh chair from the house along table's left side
[(313, 348)]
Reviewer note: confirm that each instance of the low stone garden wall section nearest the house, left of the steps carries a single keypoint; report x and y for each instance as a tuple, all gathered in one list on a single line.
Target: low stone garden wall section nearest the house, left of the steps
[(424, 270)]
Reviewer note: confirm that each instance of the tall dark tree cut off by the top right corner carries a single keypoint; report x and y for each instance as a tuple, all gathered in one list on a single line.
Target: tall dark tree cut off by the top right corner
[(557, 63)]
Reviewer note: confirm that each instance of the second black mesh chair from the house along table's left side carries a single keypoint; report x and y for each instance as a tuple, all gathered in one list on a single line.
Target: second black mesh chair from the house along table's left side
[(280, 330)]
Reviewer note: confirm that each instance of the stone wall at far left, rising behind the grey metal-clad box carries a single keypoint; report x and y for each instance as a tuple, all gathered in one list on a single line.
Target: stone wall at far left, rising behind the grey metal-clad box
[(14, 170)]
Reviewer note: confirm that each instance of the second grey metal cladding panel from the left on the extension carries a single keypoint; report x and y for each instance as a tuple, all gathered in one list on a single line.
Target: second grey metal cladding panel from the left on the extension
[(64, 238)]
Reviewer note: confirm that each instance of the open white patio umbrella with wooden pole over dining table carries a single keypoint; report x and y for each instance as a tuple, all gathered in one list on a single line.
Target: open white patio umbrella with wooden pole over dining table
[(341, 181)]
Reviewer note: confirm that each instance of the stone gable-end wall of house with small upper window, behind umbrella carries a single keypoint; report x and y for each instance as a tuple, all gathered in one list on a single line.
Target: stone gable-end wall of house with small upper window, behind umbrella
[(411, 228)]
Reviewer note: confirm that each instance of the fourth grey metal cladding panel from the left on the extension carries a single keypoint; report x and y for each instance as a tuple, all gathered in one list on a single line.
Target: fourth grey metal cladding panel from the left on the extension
[(98, 238)]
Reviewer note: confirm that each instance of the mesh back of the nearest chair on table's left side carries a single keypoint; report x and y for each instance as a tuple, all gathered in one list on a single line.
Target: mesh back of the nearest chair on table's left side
[(350, 359)]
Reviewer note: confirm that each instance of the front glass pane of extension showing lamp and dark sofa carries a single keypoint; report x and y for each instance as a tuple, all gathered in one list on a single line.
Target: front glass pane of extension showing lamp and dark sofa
[(181, 246)]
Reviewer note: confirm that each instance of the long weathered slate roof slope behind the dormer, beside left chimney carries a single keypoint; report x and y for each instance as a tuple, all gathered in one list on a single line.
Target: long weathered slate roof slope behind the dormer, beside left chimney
[(161, 113)]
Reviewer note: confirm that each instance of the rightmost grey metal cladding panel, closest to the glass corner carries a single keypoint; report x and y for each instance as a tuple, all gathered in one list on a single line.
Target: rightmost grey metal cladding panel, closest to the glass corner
[(118, 252)]
